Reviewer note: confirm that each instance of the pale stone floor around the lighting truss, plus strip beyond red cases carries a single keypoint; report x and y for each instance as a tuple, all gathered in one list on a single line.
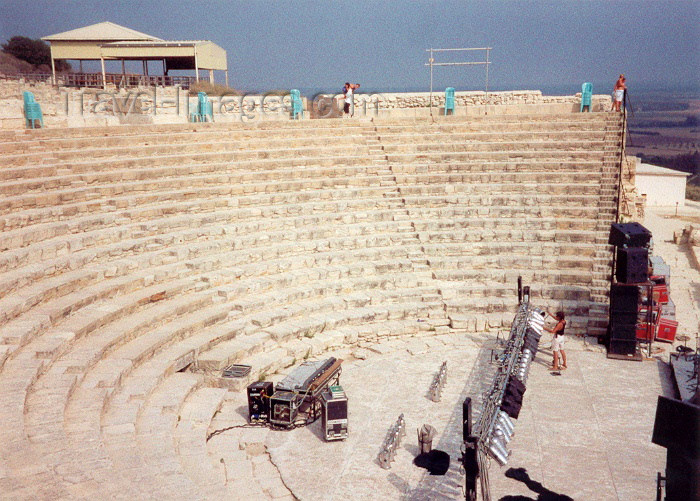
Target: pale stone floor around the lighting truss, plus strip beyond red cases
[(584, 434)]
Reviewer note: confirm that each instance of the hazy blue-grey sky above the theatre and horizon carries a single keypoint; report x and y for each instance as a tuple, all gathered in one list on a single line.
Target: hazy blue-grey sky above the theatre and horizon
[(321, 44)]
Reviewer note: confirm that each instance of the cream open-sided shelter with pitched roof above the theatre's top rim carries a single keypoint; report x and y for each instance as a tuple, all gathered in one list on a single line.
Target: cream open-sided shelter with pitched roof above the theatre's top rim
[(109, 41)]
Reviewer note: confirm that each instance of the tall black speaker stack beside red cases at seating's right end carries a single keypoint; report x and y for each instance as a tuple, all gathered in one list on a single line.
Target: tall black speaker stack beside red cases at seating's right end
[(631, 270)]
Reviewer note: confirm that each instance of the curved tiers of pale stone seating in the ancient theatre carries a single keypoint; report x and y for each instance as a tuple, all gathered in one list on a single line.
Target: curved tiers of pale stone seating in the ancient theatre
[(137, 262)]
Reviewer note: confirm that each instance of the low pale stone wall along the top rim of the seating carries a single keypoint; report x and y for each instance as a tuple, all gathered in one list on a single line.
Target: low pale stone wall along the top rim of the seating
[(69, 107)]
